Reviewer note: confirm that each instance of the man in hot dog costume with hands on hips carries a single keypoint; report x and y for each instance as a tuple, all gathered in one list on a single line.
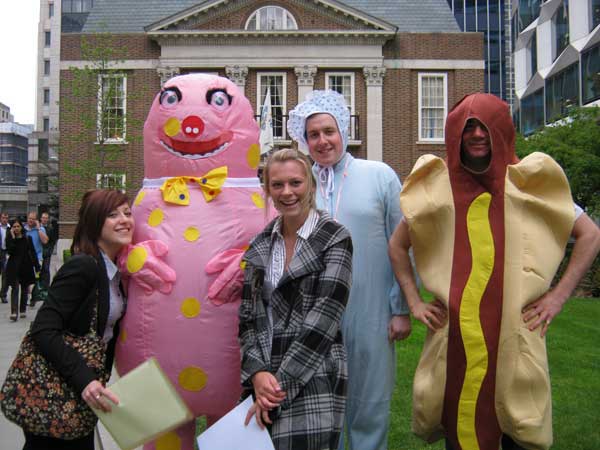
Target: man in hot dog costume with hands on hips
[(488, 232)]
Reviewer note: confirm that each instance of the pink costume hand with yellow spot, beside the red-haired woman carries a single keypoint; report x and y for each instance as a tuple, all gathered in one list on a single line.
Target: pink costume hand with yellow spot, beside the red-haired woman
[(143, 264)]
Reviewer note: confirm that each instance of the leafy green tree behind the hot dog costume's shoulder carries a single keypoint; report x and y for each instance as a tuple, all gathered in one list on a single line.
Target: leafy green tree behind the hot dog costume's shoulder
[(574, 142)]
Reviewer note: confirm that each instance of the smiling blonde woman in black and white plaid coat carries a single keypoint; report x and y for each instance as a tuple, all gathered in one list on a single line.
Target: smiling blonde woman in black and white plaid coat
[(296, 284)]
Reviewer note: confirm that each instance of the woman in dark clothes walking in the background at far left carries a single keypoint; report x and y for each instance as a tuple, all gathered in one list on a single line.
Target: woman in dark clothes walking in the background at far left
[(19, 268)]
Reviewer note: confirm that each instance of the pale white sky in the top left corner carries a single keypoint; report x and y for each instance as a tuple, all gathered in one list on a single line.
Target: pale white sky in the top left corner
[(18, 57)]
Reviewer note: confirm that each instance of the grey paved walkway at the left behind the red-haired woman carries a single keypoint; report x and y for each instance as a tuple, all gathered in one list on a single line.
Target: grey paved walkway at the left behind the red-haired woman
[(11, 436)]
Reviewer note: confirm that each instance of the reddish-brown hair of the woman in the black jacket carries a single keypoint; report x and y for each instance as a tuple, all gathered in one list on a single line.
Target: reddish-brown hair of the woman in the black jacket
[(96, 205)]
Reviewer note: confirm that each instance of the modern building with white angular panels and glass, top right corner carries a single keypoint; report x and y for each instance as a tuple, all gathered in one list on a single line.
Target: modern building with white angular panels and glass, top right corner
[(556, 58)]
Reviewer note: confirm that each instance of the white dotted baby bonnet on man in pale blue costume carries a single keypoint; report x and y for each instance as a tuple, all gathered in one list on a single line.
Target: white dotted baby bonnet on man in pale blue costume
[(316, 102)]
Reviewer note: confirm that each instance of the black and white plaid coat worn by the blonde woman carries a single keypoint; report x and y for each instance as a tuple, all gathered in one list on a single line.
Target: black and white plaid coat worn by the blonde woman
[(307, 353)]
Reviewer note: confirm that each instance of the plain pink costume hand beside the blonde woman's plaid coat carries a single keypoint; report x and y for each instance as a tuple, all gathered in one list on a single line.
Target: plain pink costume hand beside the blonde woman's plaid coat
[(227, 287)]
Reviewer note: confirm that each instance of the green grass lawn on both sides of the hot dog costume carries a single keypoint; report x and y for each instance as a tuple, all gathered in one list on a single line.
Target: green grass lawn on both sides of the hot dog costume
[(574, 352)]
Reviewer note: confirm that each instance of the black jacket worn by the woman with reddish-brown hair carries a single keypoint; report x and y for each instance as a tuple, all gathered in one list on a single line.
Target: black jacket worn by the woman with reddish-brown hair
[(69, 307)]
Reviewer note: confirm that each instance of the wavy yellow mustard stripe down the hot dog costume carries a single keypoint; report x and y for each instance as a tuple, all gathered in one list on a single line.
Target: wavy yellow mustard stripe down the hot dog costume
[(482, 250)]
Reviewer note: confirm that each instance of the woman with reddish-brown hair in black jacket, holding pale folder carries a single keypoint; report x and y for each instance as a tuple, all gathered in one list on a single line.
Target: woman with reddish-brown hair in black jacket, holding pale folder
[(87, 283)]
